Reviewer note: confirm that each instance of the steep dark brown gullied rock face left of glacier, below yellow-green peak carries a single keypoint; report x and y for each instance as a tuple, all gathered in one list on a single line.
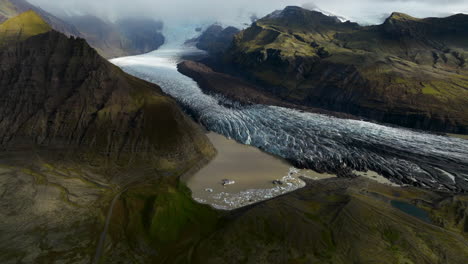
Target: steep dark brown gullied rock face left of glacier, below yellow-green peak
[(58, 93)]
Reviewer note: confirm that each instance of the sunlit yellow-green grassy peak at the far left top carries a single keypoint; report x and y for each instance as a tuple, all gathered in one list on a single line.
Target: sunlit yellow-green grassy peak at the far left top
[(21, 27)]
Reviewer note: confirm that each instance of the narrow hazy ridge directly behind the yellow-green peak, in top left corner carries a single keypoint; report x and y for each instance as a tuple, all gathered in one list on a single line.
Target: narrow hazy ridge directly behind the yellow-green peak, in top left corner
[(12, 8)]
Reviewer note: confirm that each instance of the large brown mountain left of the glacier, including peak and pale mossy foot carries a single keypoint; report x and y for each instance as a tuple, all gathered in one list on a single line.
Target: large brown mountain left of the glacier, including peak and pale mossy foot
[(75, 132)]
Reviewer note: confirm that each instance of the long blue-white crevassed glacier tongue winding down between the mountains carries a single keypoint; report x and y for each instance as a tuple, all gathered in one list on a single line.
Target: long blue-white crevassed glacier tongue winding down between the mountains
[(314, 141)]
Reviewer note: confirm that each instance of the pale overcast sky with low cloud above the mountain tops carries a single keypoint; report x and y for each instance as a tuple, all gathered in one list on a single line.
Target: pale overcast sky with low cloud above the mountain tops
[(362, 11)]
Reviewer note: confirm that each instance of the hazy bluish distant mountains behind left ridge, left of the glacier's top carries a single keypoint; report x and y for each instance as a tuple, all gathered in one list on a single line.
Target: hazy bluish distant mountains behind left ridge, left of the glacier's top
[(125, 37)]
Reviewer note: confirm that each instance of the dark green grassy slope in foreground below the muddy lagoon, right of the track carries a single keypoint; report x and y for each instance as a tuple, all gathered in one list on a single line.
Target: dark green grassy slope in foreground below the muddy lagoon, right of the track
[(330, 221)]
